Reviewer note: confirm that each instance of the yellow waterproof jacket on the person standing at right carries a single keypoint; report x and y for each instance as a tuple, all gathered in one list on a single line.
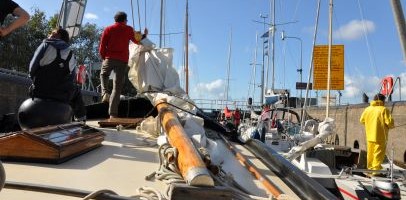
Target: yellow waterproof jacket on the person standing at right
[(377, 120)]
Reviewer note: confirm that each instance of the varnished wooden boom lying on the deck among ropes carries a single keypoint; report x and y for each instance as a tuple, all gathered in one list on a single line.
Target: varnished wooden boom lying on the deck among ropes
[(190, 164)]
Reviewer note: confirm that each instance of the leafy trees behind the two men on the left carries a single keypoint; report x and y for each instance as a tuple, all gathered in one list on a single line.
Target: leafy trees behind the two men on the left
[(17, 49)]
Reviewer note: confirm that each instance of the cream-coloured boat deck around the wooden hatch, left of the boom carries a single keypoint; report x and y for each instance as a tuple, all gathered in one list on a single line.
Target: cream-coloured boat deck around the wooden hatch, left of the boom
[(119, 165)]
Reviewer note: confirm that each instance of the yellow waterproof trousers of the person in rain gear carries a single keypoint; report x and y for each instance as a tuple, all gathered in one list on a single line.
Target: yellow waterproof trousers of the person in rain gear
[(375, 155)]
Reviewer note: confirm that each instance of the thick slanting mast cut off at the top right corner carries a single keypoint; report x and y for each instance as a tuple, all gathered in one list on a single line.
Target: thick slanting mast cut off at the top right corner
[(400, 24)]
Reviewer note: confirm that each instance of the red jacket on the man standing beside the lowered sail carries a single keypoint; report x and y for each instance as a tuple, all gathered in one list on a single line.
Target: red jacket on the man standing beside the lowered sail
[(115, 40)]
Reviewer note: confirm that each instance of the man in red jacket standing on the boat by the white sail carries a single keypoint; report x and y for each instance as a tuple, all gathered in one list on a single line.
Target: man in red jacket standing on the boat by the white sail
[(114, 51)]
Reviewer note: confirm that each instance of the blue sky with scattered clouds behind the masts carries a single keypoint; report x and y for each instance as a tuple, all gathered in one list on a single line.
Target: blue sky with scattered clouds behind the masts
[(366, 29)]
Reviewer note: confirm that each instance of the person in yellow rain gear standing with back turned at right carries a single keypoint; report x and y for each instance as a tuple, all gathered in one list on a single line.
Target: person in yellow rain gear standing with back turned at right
[(377, 121)]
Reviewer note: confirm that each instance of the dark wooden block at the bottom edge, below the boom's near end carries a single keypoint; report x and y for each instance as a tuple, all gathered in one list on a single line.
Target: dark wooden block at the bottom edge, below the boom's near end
[(185, 192)]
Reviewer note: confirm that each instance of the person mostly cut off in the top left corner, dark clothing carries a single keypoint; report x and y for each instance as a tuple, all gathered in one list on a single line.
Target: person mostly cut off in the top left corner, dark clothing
[(10, 7)]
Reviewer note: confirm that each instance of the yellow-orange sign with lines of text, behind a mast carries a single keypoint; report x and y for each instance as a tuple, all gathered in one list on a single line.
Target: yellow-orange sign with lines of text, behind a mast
[(320, 64)]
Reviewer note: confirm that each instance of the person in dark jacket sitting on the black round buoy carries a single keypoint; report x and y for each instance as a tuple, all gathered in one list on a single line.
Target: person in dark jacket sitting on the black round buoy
[(52, 71)]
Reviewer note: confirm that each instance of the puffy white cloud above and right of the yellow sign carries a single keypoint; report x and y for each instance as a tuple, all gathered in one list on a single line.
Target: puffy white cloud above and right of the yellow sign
[(354, 29)]
